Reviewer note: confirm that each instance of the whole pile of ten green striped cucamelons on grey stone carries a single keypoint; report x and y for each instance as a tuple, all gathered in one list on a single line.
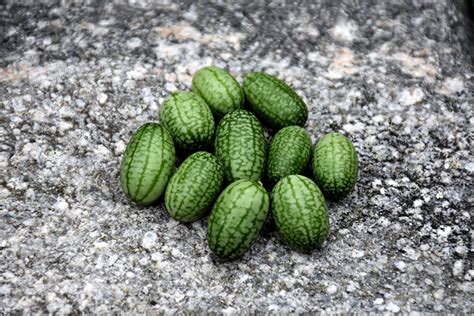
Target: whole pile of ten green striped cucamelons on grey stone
[(239, 163)]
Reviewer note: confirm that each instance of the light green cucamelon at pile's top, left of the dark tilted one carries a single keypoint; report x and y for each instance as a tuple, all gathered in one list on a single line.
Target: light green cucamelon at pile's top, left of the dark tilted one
[(219, 89)]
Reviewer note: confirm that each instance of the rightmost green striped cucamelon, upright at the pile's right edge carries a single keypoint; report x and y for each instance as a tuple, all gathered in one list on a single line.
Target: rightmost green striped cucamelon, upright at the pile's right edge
[(335, 165)]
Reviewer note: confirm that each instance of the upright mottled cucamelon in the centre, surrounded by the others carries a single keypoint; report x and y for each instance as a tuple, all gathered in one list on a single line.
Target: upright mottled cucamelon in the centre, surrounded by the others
[(240, 145)]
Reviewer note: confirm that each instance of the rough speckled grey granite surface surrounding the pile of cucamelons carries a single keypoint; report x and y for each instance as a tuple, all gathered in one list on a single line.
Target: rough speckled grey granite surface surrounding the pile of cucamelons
[(76, 81)]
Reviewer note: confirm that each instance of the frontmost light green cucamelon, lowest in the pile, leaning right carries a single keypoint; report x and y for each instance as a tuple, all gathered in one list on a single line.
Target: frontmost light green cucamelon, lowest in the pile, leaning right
[(237, 218)]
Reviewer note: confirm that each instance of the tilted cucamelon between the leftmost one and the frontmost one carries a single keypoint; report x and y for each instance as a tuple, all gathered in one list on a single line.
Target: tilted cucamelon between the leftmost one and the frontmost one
[(193, 189)]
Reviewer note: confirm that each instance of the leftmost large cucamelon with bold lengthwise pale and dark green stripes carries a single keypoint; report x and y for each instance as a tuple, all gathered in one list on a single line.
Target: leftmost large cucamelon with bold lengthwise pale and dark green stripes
[(147, 164)]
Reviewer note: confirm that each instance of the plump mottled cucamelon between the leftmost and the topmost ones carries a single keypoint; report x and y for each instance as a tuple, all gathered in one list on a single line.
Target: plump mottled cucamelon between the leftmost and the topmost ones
[(189, 120)]
